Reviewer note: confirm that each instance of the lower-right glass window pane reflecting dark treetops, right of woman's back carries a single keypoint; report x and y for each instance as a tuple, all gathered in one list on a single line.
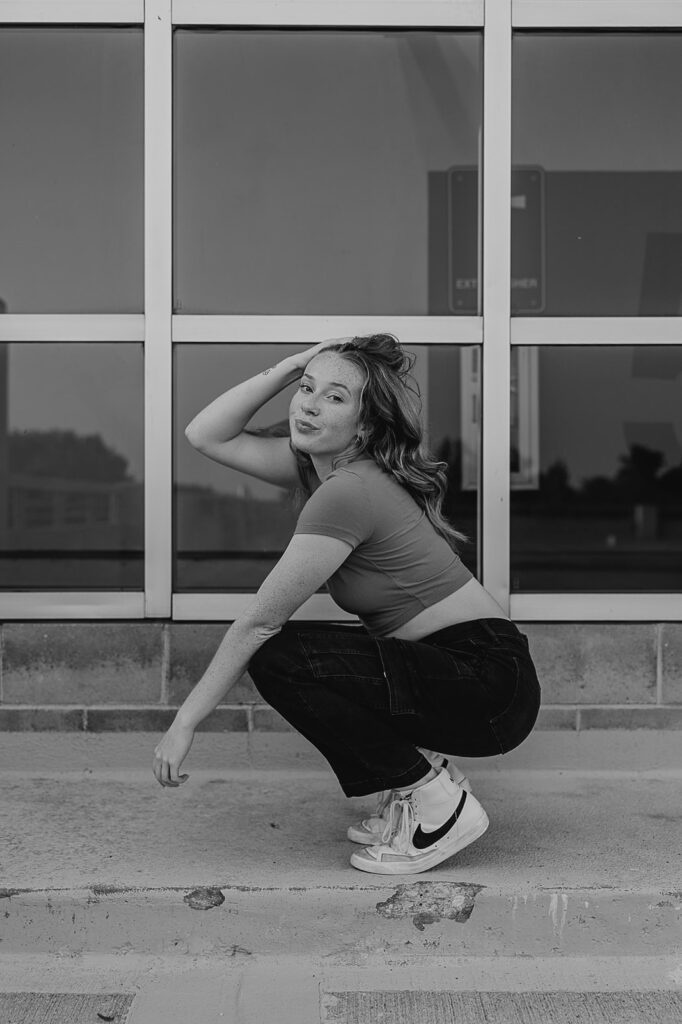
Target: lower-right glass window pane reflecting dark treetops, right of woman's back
[(598, 460)]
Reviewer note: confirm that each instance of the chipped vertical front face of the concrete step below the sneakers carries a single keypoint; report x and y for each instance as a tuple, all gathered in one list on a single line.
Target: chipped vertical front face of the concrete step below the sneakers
[(435, 918)]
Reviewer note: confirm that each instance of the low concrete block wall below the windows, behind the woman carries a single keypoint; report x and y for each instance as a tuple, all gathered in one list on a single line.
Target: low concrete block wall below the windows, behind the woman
[(133, 676)]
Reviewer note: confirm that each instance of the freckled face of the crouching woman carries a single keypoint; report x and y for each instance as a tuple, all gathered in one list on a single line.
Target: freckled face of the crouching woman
[(324, 414)]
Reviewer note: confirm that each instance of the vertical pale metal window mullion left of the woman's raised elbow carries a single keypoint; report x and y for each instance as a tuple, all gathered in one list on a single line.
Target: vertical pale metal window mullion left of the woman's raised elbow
[(158, 308)]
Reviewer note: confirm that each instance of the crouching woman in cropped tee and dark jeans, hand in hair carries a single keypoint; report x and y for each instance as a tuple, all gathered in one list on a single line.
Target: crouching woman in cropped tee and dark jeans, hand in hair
[(436, 665)]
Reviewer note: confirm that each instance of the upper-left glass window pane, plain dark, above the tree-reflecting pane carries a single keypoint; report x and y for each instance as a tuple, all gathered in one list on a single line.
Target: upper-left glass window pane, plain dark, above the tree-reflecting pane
[(72, 170)]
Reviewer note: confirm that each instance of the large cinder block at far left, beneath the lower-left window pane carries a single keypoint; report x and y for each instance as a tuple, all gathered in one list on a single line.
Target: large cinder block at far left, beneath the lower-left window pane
[(82, 663)]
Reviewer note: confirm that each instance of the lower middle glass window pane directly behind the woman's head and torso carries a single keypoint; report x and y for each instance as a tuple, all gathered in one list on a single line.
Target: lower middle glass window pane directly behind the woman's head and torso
[(231, 529)]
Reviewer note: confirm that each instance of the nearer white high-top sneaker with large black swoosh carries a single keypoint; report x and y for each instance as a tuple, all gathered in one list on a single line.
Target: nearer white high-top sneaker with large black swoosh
[(425, 827)]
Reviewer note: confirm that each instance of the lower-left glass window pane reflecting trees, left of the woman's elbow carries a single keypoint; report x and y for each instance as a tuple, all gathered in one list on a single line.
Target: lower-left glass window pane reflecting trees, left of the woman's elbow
[(71, 465)]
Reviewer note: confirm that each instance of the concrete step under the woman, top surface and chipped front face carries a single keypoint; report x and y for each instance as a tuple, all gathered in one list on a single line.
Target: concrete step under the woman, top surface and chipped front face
[(104, 861)]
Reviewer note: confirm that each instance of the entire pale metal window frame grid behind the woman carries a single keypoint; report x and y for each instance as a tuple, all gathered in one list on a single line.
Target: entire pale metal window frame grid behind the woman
[(495, 330)]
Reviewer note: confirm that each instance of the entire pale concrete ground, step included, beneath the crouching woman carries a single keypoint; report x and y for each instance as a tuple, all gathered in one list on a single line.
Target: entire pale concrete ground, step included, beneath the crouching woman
[(233, 900)]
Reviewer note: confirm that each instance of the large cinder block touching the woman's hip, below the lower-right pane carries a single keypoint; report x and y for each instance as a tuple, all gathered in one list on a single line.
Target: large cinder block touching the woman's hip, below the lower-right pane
[(594, 663)]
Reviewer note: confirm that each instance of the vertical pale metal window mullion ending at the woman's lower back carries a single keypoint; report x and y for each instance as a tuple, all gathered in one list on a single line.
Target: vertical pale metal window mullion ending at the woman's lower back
[(497, 283)]
